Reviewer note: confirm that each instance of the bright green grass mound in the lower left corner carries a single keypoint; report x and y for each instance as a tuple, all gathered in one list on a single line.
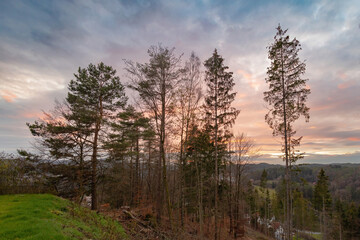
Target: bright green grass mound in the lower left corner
[(44, 216)]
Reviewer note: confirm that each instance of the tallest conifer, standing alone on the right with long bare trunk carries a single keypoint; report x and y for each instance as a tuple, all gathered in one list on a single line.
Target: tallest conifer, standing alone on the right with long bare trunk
[(287, 95)]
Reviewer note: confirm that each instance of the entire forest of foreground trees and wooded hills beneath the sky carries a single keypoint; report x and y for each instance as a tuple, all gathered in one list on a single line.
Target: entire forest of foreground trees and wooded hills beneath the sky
[(161, 144)]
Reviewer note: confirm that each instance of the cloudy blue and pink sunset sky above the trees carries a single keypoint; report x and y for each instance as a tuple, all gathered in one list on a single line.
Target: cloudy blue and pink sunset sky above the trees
[(42, 44)]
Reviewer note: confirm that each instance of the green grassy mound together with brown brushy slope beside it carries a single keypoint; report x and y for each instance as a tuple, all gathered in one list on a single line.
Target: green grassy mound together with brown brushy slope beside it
[(44, 216)]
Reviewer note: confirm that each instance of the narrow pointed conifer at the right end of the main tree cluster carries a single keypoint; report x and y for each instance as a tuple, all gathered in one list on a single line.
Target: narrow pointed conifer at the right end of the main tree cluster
[(219, 113)]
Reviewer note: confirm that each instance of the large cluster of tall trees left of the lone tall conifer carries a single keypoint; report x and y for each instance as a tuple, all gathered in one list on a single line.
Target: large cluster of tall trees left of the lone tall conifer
[(171, 141)]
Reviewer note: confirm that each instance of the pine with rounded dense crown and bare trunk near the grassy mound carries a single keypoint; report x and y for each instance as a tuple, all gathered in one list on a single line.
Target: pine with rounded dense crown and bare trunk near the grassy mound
[(95, 96)]
